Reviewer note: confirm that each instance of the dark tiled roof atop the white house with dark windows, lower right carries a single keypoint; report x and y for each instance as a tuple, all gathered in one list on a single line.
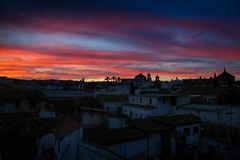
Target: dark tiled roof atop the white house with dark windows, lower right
[(177, 120)]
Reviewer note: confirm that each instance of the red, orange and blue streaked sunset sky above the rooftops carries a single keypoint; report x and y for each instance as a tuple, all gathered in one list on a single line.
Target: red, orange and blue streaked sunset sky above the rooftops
[(70, 39)]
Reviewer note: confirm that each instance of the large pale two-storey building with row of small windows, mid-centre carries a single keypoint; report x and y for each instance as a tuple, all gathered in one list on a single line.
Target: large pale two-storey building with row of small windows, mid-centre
[(142, 106)]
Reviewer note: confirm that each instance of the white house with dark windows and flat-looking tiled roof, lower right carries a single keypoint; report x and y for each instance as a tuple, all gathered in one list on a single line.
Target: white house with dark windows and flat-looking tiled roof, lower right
[(185, 132)]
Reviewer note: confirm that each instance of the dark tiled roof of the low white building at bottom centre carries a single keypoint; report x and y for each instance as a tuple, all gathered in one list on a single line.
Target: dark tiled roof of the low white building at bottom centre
[(113, 136)]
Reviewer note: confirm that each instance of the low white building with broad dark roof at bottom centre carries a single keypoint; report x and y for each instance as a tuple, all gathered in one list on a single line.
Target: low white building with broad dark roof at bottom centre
[(126, 142)]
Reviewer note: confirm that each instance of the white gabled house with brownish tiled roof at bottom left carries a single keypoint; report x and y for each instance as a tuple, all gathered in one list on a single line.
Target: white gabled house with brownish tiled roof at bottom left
[(62, 143)]
